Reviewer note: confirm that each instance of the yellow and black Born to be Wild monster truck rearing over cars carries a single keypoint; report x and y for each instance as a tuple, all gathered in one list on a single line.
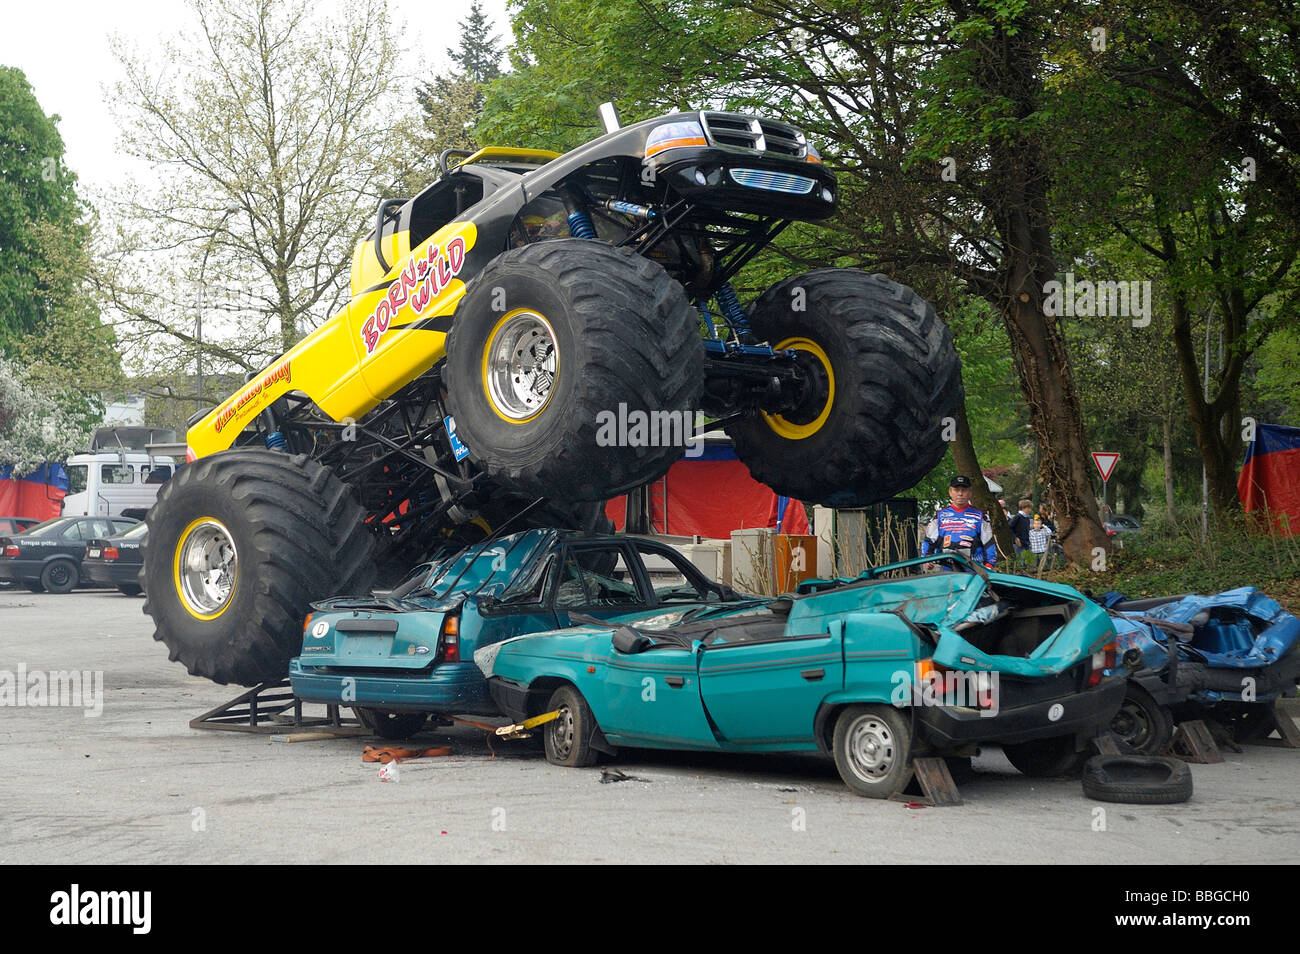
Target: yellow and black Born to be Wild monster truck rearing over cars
[(501, 322)]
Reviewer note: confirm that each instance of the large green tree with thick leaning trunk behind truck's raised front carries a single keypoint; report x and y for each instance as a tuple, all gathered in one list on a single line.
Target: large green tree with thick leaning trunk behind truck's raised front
[(900, 98)]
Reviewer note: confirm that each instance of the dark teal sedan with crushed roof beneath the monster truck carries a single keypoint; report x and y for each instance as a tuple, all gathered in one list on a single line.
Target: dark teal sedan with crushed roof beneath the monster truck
[(400, 658)]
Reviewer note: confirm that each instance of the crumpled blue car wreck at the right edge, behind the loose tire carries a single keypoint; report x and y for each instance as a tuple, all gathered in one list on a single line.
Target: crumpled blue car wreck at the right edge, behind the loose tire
[(1228, 658)]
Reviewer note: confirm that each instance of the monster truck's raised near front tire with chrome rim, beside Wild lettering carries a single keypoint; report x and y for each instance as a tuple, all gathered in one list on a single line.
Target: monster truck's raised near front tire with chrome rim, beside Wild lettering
[(548, 344)]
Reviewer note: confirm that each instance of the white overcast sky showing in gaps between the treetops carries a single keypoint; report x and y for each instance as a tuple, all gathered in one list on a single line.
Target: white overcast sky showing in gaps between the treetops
[(63, 46)]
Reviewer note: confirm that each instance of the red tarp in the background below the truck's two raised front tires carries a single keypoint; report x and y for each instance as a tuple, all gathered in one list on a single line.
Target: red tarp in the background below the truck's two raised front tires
[(713, 496)]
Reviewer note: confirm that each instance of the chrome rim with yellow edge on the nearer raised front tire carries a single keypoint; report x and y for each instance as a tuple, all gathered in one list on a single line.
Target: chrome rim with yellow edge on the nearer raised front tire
[(522, 366)]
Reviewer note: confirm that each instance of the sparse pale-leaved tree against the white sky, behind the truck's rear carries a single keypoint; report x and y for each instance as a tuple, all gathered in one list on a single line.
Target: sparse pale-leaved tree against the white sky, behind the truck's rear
[(272, 132)]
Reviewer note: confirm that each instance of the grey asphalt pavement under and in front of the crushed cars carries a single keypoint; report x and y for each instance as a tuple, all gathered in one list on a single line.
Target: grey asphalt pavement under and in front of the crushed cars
[(133, 783)]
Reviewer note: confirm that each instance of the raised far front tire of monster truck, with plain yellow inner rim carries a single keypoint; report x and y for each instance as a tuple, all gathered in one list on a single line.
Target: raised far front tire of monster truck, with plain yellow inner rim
[(885, 378)]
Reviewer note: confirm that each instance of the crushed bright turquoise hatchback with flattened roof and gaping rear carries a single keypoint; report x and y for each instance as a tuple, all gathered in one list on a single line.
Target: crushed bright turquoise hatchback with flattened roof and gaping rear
[(870, 671)]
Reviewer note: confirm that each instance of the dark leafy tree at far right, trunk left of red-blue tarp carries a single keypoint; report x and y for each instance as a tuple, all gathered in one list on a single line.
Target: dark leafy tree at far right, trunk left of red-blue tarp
[(1217, 190)]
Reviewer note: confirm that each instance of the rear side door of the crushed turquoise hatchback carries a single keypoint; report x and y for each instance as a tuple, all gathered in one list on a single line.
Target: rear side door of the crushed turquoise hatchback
[(762, 687)]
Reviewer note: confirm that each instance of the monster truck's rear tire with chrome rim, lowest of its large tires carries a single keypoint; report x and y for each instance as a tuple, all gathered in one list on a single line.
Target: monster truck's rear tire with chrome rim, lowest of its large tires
[(239, 545)]
